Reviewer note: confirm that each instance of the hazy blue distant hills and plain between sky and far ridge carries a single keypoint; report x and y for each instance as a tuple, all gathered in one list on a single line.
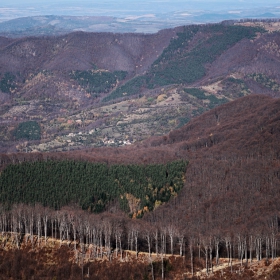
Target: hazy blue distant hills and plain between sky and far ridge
[(54, 25)]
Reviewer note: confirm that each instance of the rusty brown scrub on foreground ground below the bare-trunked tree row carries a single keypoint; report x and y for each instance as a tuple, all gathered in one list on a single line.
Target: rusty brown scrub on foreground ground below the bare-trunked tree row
[(52, 262)]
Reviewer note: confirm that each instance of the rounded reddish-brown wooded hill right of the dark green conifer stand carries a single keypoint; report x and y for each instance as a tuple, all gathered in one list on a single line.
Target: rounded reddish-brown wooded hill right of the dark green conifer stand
[(233, 179)]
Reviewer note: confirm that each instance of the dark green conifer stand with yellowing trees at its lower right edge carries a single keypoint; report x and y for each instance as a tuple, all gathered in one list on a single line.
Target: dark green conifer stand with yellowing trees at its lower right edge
[(94, 186)]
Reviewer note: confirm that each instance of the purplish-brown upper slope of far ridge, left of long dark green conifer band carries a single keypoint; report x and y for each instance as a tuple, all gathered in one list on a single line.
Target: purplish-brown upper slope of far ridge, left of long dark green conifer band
[(79, 51)]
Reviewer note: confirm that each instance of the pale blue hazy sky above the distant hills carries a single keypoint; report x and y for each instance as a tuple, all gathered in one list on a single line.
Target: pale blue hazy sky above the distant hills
[(10, 9)]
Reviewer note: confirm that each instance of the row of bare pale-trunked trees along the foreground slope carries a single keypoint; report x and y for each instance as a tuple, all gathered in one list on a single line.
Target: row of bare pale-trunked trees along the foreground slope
[(114, 235)]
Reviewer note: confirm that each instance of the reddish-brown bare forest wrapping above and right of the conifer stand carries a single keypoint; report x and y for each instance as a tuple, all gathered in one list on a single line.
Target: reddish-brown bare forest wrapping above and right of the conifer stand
[(234, 158)]
